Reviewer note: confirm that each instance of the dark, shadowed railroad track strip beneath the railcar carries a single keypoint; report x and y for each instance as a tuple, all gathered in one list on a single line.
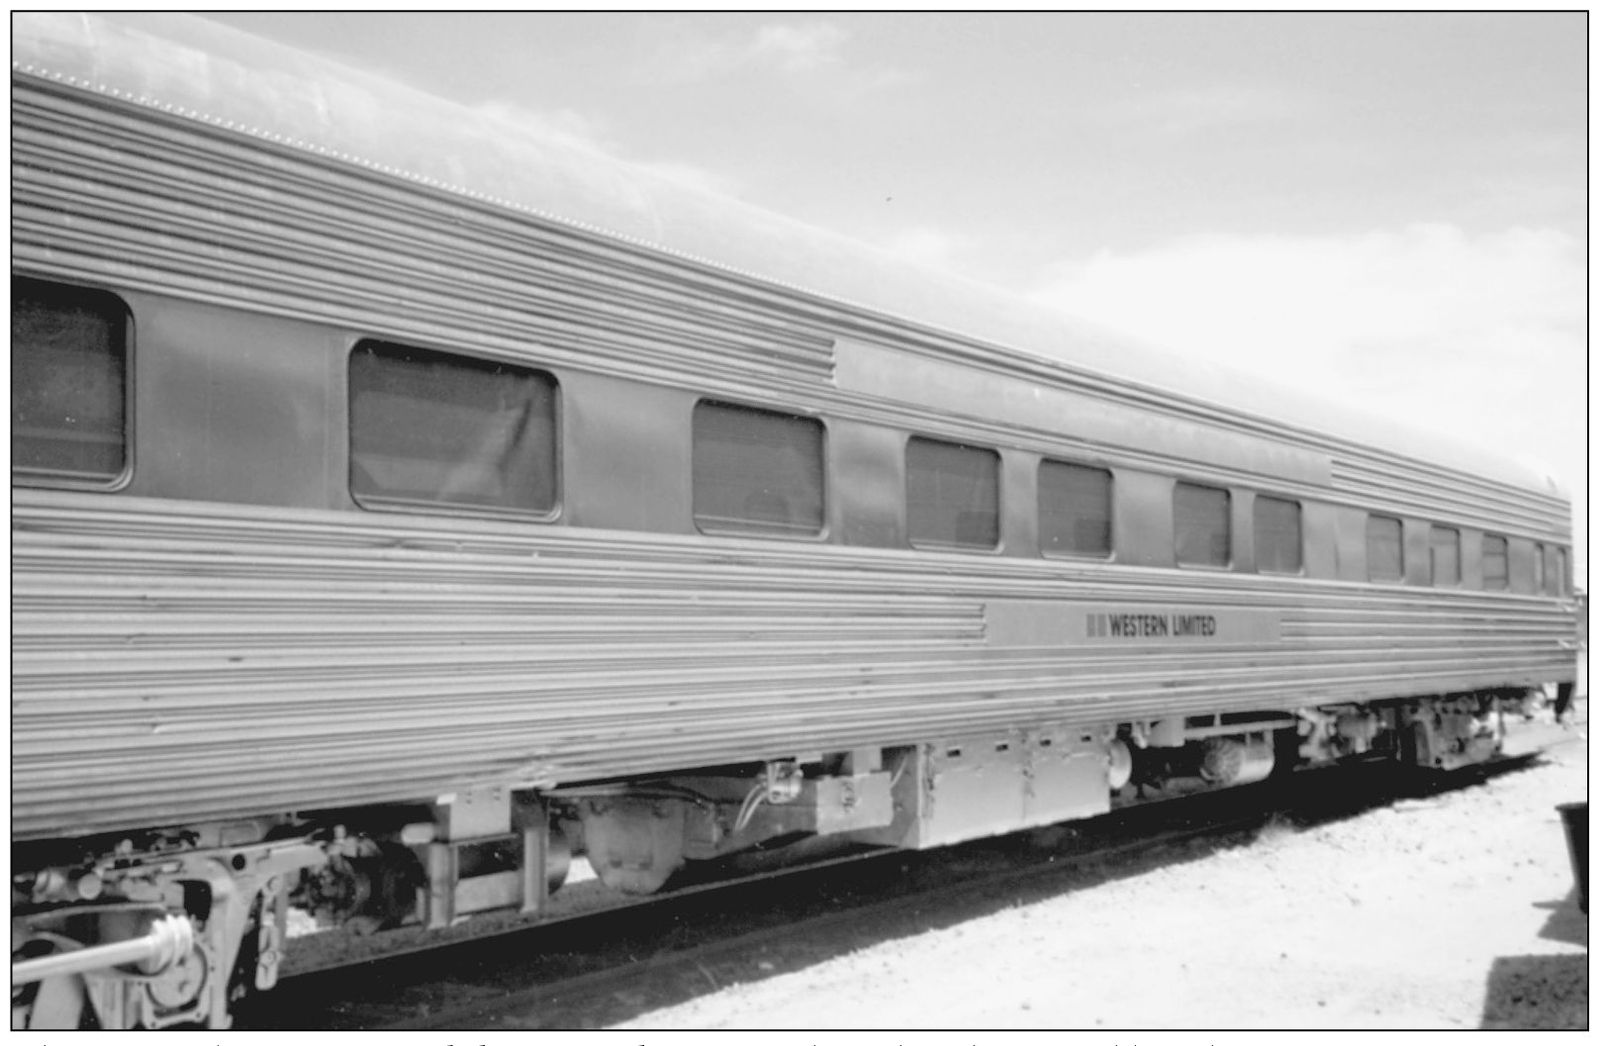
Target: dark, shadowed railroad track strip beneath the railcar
[(599, 970)]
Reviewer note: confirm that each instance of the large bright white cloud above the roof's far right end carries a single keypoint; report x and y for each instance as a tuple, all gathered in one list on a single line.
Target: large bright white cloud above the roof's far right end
[(1478, 336)]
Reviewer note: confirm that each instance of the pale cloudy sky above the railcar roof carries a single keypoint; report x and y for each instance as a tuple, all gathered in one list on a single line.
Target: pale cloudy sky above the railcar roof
[(1385, 209)]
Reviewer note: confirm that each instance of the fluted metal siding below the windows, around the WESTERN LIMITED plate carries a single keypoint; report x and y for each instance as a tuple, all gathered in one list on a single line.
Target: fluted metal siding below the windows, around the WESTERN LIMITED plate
[(177, 662)]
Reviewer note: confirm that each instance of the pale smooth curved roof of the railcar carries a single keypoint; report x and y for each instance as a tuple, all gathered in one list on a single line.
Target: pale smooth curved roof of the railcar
[(264, 89)]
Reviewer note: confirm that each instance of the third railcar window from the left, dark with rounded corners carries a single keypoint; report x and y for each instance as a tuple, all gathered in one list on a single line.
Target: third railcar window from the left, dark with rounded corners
[(758, 471)]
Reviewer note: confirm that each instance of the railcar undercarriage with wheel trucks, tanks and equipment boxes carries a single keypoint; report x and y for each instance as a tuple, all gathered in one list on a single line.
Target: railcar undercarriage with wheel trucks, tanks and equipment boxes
[(171, 928)]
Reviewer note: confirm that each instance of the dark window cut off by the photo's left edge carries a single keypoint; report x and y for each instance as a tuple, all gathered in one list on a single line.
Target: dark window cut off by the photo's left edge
[(70, 383)]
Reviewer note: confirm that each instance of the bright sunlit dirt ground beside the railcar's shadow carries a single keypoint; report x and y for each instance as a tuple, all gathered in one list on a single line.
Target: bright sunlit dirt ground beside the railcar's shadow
[(1454, 912)]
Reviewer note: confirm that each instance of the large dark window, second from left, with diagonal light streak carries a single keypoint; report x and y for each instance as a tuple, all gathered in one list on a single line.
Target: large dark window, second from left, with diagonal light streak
[(452, 431)]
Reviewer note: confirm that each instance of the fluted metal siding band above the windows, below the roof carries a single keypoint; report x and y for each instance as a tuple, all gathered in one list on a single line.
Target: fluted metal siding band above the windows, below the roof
[(111, 195)]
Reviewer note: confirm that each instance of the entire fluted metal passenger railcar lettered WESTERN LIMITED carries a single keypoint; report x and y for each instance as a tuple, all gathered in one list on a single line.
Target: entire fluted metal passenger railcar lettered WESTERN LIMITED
[(405, 506)]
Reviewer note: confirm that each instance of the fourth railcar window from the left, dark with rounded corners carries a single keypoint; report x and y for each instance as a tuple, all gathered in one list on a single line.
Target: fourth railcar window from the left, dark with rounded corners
[(952, 495)]
